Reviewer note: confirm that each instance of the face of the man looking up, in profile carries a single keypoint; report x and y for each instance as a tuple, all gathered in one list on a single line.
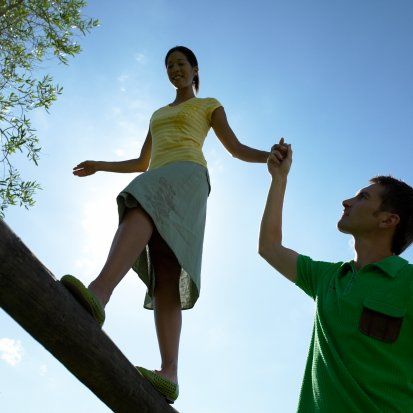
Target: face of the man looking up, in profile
[(361, 213)]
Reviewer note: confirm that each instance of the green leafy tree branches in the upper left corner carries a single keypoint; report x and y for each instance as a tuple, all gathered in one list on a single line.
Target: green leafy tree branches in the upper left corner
[(31, 31)]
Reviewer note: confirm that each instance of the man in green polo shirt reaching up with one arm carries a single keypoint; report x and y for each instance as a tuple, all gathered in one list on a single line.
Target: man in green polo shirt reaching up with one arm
[(361, 351)]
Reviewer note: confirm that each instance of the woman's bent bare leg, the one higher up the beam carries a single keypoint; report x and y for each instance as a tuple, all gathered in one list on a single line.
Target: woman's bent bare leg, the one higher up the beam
[(132, 235)]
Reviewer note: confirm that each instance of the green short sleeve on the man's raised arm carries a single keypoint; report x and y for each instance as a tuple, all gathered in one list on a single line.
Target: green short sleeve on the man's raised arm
[(312, 275)]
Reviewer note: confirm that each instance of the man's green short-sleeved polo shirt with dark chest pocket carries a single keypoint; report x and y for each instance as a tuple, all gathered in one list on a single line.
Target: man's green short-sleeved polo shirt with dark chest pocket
[(361, 352)]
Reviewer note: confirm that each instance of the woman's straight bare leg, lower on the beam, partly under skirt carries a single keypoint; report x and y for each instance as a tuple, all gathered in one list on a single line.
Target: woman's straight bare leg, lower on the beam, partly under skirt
[(167, 306)]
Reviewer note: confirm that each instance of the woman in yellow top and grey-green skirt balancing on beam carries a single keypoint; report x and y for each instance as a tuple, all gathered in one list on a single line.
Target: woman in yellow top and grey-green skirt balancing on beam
[(162, 213)]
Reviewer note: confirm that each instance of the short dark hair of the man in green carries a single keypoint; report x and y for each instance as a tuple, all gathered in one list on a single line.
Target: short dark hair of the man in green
[(397, 198)]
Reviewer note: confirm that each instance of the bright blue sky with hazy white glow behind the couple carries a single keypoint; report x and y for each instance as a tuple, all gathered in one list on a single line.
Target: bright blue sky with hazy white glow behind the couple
[(333, 77)]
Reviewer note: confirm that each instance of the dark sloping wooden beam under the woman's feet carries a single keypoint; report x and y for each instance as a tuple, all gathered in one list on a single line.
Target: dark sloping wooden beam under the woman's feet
[(31, 295)]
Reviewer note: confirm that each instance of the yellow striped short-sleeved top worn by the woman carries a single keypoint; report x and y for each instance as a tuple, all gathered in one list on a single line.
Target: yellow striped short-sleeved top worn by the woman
[(178, 132)]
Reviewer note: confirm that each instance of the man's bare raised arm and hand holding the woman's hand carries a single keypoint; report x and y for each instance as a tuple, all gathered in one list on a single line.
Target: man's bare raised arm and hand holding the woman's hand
[(270, 247)]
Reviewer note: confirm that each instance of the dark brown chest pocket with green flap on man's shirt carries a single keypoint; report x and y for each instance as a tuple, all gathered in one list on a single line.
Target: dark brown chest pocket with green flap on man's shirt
[(381, 320)]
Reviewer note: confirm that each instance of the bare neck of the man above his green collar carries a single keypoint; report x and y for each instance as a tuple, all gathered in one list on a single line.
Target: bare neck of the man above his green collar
[(370, 250)]
